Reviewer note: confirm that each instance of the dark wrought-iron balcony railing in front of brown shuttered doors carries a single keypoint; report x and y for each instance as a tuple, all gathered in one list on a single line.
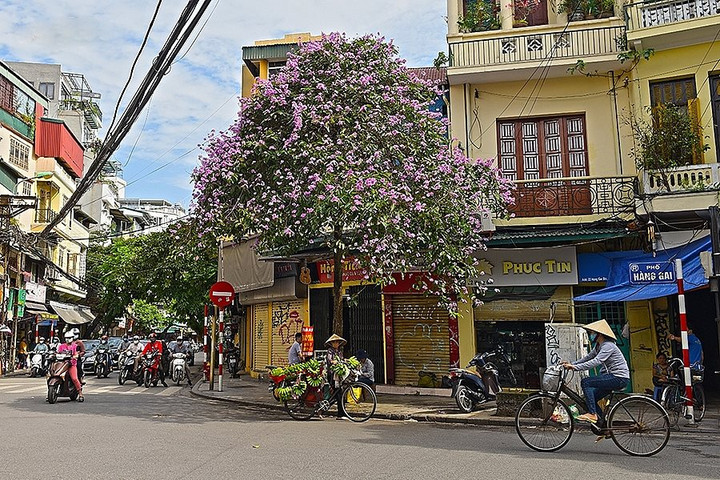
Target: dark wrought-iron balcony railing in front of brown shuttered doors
[(574, 196)]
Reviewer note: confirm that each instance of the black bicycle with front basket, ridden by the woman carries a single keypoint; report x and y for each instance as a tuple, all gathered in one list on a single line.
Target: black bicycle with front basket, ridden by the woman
[(637, 424)]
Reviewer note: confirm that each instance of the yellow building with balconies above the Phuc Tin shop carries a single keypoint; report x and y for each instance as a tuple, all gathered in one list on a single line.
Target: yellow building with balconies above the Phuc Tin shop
[(566, 140)]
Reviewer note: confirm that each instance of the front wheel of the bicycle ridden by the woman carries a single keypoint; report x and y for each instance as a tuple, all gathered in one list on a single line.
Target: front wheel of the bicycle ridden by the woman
[(544, 423)]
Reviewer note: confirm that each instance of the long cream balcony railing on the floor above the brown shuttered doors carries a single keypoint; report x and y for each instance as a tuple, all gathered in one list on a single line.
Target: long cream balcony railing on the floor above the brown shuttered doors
[(539, 46)]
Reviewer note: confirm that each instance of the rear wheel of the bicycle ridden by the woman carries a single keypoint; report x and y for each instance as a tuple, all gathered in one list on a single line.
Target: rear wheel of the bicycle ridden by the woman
[(639, 426)]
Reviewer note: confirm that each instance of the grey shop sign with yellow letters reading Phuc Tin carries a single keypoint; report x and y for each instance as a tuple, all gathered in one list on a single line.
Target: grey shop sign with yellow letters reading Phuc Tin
[(512, 267)]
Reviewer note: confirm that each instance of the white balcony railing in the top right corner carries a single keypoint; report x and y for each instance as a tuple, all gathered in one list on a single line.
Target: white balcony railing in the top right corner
[(663, 12)]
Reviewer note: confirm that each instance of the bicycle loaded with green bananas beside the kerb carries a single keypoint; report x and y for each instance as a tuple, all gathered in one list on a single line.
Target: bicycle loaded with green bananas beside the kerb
[(358, 400)]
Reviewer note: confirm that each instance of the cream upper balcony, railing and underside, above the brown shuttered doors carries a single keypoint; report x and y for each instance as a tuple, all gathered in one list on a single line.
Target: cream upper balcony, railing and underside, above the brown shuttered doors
[(503, 50)]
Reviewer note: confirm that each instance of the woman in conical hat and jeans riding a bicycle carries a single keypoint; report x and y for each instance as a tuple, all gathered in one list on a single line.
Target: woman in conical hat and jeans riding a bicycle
[(615, 374)]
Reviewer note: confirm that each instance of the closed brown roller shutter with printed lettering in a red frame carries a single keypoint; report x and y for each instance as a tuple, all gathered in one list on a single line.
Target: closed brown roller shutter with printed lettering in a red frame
[(422, 338)]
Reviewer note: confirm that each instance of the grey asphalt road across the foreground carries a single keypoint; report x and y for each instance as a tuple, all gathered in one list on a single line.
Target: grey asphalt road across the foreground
[(136, 433)]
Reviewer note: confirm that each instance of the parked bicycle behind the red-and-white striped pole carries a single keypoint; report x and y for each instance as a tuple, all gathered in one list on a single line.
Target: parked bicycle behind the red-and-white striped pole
[(673, 395)]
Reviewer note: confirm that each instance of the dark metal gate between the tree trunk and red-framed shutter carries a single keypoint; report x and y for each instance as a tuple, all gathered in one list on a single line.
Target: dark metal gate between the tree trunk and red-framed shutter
[(363, 326)]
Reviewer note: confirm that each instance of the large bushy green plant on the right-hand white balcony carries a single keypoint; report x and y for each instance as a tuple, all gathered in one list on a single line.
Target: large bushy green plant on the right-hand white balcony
[(665, 140)]
